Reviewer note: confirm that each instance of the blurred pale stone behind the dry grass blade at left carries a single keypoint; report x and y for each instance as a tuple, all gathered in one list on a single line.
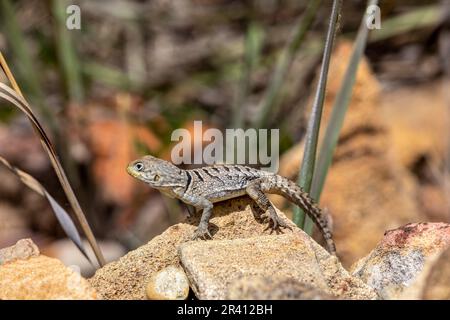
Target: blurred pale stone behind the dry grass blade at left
[(65, 251)]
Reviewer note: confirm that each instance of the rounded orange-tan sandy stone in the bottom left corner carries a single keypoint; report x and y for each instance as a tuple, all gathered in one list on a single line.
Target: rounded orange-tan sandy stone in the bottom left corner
[(42, 278)]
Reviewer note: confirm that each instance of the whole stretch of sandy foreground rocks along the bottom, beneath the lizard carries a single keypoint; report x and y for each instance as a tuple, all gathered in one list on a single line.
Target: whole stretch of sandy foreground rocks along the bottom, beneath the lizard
[(244, 261)]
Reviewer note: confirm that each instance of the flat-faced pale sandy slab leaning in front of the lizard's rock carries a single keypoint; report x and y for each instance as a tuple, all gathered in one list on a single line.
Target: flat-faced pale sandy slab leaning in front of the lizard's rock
[(212, 266)]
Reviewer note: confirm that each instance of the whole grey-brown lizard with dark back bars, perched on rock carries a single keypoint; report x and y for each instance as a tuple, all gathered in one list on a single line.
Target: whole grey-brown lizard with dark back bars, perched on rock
[(202, 187)]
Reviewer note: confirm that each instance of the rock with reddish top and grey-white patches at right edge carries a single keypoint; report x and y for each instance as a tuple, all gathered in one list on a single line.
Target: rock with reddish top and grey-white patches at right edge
[(398, 260)]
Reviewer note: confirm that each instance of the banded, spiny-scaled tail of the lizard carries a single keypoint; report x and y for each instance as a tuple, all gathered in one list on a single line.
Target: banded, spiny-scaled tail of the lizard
[(295, 194)]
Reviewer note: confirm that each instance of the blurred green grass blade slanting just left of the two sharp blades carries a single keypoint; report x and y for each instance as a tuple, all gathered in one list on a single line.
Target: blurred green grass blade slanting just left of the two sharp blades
[(270, 101)]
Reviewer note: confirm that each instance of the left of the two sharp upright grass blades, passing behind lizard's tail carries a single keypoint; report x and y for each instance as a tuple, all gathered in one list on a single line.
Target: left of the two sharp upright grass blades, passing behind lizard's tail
[(312, 133)]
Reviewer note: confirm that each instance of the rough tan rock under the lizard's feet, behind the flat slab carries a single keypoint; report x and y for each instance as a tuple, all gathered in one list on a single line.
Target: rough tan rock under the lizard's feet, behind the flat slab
[(127, 277)]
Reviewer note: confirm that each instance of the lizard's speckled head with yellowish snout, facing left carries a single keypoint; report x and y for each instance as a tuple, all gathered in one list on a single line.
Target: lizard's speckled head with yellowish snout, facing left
[(157, 173)]
